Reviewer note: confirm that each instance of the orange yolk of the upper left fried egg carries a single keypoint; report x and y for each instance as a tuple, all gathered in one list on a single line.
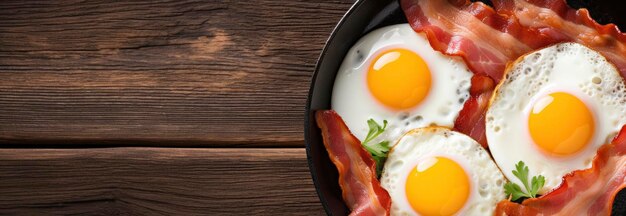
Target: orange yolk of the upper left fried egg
[(399, 78)]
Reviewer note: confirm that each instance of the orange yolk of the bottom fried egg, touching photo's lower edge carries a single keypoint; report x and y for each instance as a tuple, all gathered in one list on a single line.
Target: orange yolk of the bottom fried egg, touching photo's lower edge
[(437, 186)]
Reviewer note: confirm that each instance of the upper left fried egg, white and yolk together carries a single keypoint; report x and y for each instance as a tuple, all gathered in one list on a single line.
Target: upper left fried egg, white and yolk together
[(394, 74)]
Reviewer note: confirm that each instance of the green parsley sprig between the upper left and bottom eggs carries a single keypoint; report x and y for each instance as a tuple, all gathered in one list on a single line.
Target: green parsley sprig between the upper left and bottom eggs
[(378, 150)]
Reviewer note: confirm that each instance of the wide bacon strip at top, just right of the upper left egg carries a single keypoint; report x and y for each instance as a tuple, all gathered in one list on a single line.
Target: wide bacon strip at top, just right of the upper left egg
[(487, 41)]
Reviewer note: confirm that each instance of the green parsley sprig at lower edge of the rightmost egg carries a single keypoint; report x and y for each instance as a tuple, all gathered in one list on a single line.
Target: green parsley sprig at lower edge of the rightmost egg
[(515, 191)]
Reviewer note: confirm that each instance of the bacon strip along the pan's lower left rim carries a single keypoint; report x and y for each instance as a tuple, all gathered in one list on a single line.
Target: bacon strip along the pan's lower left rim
[(361, 189)]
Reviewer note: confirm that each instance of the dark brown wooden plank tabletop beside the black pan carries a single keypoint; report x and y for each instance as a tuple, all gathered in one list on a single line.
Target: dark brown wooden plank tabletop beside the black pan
[(158, 107)]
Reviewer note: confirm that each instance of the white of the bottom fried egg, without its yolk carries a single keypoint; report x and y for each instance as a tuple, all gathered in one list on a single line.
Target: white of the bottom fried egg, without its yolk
[(486, 180)]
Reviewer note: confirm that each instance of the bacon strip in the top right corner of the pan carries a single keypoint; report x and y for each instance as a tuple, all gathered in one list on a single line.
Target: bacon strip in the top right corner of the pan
[(571, 24)]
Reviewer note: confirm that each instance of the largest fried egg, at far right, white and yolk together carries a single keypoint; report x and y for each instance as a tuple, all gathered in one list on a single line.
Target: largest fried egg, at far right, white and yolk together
[(553, 110)]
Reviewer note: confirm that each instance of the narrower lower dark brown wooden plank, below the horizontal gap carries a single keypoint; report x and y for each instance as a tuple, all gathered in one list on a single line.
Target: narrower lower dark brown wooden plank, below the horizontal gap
[(156, 181)]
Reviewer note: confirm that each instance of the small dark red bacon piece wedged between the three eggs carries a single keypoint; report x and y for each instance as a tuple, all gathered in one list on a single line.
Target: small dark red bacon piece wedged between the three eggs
[(471, 120)]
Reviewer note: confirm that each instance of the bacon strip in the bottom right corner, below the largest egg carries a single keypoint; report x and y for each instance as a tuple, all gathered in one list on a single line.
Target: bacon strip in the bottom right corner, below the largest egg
[(589, 191)]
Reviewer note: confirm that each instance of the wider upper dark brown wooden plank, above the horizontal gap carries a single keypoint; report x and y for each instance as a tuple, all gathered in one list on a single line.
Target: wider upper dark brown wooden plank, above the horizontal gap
[(208, 73)]
